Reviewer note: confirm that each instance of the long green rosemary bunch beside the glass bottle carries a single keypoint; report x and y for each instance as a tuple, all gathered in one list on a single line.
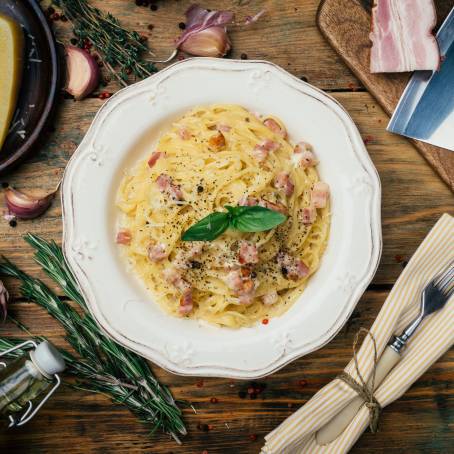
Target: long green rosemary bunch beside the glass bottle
[(104, 366)]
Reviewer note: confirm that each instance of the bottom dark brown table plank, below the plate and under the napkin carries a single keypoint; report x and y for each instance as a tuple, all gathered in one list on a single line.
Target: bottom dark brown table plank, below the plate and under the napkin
[(419, 422)]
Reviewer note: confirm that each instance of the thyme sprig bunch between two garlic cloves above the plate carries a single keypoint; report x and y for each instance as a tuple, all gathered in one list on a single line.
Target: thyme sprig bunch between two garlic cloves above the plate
[(119, 49)]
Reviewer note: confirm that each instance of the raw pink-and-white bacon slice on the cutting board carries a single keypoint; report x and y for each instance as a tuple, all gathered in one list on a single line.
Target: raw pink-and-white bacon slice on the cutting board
[(401, 36)]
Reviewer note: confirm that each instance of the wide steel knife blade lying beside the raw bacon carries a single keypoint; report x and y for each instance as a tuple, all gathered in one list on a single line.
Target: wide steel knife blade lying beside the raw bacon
[(426, 109)]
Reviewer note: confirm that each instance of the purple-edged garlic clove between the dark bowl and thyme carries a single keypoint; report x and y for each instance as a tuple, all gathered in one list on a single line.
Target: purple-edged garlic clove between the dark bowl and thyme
[(82, 72)]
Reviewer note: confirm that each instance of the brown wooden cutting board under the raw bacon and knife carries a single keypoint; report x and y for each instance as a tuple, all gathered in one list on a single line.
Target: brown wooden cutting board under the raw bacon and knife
[(346, 25)]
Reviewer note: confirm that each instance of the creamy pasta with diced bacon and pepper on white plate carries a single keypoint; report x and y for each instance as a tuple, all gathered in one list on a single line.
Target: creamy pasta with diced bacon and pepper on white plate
[(212, 157)]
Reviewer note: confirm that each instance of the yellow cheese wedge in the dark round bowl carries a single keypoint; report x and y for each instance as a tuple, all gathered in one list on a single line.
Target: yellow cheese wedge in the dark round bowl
[(11, 50)]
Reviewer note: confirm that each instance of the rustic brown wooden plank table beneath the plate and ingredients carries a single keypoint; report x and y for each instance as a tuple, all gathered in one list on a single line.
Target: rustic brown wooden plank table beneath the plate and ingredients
[(413, 199)]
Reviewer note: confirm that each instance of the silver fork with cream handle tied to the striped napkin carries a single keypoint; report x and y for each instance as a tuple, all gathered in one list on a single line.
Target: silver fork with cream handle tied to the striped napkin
[(434, 296)]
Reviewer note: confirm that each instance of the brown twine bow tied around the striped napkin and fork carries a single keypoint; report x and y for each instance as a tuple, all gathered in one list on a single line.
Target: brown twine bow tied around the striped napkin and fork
[(361, 388)]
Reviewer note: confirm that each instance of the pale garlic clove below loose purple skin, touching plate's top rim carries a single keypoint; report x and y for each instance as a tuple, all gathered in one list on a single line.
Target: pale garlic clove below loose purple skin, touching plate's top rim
[(211, 42)]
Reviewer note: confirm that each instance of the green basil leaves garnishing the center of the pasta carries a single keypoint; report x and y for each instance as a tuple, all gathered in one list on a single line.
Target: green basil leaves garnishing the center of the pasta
[(242, 218)]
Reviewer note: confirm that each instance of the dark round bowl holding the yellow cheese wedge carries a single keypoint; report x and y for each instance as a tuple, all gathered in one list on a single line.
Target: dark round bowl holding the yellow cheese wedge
[(40, 81)]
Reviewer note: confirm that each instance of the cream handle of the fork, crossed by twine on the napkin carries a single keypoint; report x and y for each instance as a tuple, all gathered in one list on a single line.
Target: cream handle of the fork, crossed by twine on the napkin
[(330, 431)]
